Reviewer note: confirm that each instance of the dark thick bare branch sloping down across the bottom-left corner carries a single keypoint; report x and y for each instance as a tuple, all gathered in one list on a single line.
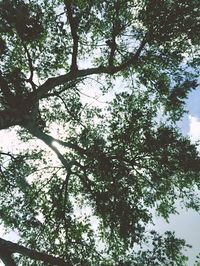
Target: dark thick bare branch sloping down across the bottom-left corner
[(10, 248)]
